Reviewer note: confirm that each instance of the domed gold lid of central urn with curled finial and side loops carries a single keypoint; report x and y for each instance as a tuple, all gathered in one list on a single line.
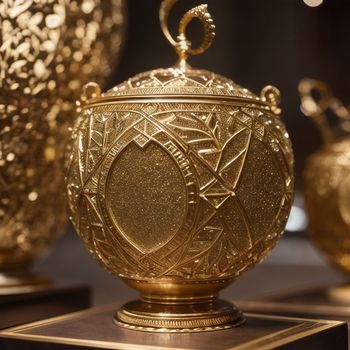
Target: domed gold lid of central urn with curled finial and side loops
[(182, 80)]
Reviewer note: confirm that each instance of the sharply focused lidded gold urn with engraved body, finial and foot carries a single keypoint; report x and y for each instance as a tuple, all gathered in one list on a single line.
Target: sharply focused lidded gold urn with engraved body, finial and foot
[(179, 180)]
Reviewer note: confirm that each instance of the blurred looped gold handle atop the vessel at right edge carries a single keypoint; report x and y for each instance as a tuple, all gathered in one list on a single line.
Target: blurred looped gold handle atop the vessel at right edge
[(316, 108)]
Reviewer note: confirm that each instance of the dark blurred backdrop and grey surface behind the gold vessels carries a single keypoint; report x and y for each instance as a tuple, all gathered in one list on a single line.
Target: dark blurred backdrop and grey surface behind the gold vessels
[(258, 42)]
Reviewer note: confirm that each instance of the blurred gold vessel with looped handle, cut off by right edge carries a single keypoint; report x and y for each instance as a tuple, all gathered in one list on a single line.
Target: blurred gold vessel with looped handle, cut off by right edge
[(327, 174)]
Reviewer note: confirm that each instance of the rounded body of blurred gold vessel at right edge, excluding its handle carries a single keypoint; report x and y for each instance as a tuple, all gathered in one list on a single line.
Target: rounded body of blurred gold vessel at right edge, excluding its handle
[(327, 200)]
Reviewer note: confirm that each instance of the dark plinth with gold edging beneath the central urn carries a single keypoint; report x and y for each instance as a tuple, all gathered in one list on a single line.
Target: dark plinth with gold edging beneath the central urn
[(93, 329)]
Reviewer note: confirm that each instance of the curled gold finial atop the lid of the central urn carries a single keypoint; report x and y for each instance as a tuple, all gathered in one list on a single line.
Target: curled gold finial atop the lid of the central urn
[(183, 46)]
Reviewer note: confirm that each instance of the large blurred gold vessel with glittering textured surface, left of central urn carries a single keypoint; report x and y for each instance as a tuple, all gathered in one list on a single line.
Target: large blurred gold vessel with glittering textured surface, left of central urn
[(48, 50)]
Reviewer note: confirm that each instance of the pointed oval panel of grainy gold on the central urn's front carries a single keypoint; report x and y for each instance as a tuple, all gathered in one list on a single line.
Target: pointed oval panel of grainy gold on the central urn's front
[(141, 183)]
